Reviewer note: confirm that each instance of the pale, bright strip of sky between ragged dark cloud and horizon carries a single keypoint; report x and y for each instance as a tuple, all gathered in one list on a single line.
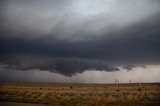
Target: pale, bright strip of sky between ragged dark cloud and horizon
[(35, 75)]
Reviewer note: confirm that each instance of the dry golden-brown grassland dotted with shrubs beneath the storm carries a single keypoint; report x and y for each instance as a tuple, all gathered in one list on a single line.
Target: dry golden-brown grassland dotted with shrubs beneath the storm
[(81, 94)]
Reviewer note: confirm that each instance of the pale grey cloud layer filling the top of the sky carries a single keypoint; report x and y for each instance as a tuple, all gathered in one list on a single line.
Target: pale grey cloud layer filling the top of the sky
[(61, 19)]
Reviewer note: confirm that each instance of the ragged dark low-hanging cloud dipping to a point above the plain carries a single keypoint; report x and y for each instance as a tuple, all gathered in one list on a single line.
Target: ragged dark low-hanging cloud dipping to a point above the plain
[(67, 67)]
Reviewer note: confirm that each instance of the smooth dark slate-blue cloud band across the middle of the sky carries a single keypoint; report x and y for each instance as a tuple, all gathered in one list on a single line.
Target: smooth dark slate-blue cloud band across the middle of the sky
[(139, 42)]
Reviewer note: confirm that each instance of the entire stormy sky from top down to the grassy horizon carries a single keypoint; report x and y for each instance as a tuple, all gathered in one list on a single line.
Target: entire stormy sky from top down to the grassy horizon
[(77, 39)]
